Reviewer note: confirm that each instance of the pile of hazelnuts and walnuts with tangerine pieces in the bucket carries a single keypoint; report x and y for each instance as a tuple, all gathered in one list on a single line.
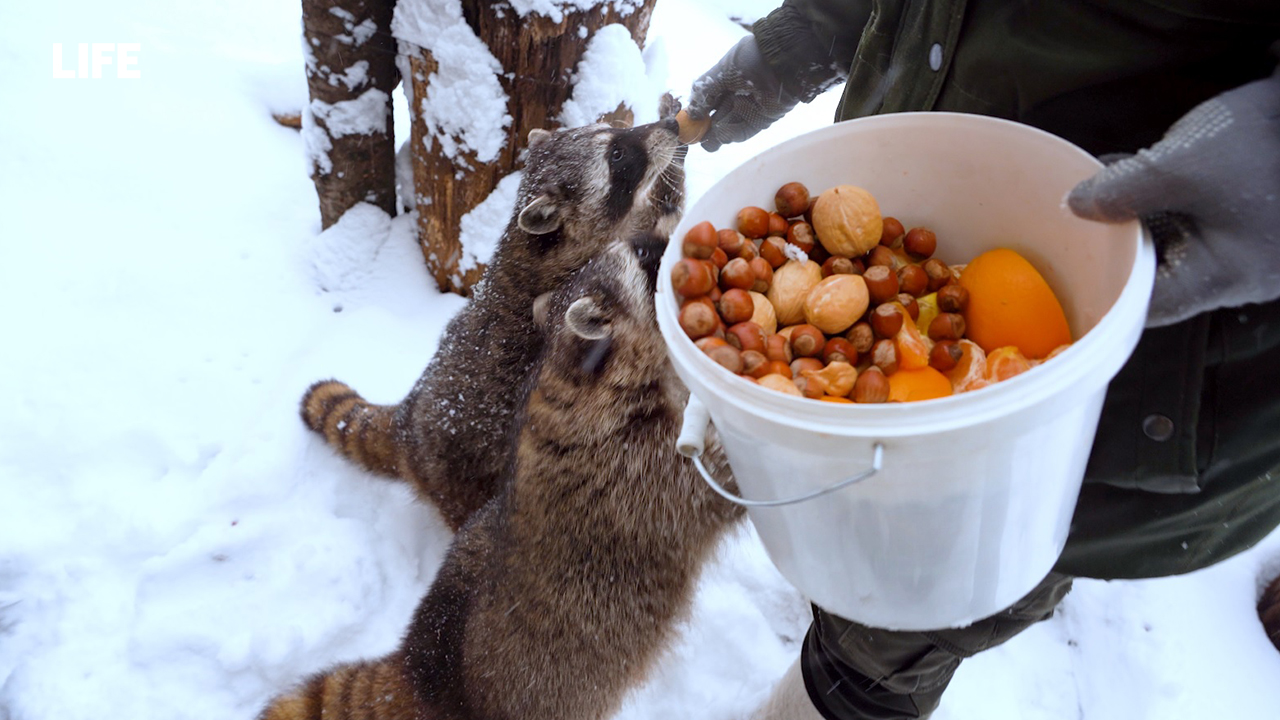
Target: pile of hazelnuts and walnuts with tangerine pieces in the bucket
[(825, 298)]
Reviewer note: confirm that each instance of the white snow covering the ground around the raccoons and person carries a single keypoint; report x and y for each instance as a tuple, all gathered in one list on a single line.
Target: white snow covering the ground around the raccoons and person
[(173, 544)]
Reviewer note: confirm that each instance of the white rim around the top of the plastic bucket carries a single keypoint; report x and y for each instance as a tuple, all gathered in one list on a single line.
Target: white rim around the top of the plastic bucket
[(1113, 338)]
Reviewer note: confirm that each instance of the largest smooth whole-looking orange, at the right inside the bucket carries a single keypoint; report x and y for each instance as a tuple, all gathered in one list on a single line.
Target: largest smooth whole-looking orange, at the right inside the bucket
[(1012, 304)]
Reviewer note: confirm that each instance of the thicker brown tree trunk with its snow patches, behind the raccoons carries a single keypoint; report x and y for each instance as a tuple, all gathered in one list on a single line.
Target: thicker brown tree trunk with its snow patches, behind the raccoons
[(479, 76)]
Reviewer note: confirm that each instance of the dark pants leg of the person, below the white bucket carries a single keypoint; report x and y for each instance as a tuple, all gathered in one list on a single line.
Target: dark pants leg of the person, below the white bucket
[(856, 672)]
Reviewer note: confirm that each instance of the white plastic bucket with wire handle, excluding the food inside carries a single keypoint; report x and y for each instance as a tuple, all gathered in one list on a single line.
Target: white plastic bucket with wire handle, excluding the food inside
[(973, 500)]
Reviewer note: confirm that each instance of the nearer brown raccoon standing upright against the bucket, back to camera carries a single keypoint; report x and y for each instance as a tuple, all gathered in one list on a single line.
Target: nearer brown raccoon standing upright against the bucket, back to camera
[(560, 595)]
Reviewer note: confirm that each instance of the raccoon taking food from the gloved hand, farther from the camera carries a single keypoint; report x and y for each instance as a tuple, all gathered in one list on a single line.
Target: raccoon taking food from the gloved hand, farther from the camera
[(451, 435)]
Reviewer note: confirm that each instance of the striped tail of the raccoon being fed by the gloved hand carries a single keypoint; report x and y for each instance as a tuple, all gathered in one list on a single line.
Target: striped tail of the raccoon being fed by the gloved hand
[(360, 431)]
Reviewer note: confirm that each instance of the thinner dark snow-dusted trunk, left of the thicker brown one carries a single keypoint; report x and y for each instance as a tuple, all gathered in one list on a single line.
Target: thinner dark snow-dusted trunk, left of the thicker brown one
[(348, 126)]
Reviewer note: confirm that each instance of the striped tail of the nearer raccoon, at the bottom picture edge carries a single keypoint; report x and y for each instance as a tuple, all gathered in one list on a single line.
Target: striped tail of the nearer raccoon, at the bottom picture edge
[(362, 691)]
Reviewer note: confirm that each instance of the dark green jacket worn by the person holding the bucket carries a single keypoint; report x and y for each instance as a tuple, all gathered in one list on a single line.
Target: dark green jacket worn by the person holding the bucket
[(1186, 467)]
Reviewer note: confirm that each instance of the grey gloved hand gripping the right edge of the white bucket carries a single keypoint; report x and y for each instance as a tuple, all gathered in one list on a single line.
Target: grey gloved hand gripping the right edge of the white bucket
[(1210, 195)]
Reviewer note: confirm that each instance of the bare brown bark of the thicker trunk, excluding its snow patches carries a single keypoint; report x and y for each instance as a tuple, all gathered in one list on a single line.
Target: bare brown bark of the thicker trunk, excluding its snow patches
[(531, 51)]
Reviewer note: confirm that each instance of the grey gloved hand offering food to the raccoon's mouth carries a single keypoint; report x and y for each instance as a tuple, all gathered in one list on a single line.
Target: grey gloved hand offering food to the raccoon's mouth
[(740, 94)]
